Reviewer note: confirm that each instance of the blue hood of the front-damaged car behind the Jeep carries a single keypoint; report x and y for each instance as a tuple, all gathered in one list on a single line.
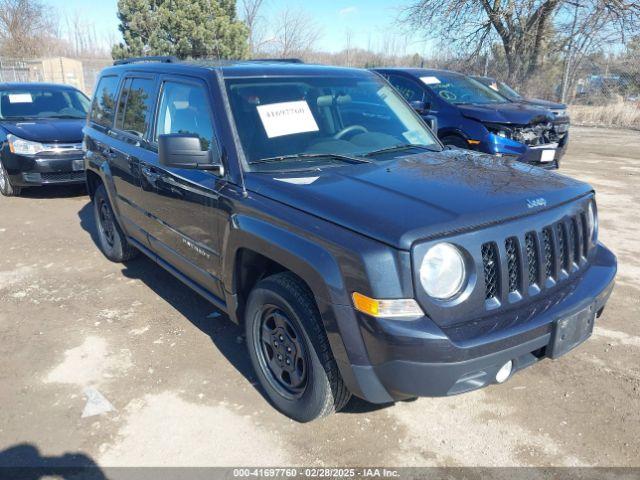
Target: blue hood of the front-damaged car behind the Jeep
[(508, 113)]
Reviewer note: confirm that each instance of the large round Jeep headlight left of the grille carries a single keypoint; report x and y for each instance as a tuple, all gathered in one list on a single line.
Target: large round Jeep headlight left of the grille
[(442, 272)]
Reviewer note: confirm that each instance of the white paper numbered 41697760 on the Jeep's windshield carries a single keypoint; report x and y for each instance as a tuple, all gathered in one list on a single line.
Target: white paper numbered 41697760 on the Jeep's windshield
[(287, 118)]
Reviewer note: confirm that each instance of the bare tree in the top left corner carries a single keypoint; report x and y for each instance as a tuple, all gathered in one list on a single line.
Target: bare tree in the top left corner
[(27, 28)]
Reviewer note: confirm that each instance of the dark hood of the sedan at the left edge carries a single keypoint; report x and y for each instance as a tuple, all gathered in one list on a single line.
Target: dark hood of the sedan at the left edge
[(47, 130)]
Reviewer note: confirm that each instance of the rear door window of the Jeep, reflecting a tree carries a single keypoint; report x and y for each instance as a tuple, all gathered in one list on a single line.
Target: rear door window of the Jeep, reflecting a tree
[(135, 106)]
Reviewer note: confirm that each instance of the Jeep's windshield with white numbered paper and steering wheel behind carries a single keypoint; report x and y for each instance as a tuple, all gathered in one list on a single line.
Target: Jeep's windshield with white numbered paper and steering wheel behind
[(315, 120)]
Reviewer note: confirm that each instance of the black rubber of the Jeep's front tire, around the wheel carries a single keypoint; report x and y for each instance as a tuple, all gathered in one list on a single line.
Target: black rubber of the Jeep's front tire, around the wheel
[(312, 402)]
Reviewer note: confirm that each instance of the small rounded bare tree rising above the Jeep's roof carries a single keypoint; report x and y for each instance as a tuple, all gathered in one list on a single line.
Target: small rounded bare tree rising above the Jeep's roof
[(295, 33)]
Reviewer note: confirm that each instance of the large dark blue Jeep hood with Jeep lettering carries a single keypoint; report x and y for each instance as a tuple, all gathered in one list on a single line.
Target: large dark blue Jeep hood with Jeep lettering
[(420, 196)]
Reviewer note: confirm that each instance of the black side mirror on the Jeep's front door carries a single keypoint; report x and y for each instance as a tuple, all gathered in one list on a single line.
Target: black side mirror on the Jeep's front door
[(177, 150)]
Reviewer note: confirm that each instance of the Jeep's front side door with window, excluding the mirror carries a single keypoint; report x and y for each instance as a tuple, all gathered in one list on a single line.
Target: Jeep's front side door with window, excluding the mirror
[(185, 204)]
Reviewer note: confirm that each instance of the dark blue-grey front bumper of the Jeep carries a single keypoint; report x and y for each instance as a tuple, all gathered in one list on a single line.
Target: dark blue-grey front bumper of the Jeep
[(417, 358)]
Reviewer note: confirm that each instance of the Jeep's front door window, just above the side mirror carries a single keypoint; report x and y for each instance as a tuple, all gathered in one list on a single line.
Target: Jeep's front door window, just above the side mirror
[(184, 108)]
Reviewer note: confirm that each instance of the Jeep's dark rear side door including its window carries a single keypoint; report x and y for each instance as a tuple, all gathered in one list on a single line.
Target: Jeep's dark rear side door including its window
[(129, 147)]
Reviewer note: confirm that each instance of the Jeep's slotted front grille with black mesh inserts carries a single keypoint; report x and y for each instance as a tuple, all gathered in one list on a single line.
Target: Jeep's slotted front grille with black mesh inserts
[(560, 245)]
